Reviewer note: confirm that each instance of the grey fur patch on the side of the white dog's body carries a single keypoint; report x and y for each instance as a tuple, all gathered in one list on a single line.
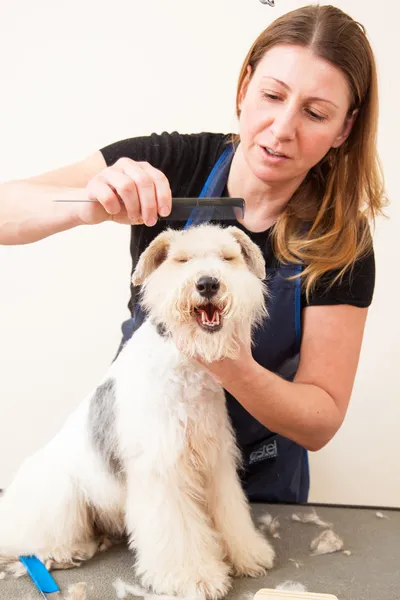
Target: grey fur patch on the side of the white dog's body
[(102, 425)]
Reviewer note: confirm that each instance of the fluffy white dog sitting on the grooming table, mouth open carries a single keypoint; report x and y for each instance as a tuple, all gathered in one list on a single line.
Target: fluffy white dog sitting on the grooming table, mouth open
[(151, 453)]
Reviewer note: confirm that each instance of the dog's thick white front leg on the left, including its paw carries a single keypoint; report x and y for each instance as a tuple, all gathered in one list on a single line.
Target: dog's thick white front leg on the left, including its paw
[(177, 550)]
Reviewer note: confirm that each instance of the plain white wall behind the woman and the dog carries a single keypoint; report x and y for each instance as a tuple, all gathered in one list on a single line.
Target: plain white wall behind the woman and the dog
[(78, 75)]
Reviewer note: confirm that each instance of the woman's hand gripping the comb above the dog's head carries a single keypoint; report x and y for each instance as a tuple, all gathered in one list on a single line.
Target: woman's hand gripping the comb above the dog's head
[(128, 192)]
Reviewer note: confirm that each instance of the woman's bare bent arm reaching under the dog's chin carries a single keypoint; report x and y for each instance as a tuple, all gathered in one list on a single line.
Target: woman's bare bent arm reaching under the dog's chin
[(312, 408)]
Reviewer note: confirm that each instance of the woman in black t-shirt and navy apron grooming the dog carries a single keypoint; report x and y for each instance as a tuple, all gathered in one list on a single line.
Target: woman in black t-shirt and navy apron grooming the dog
[(305, 162)]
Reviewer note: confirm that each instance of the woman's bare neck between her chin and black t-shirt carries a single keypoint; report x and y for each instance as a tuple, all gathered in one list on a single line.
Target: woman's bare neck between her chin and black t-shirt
[(264, 202)]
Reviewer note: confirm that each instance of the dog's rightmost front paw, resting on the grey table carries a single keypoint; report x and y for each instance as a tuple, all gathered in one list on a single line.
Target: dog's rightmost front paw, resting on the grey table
[(252, 559)]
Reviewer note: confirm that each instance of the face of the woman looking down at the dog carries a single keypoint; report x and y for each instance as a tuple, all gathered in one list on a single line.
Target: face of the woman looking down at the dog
[(295, 104)]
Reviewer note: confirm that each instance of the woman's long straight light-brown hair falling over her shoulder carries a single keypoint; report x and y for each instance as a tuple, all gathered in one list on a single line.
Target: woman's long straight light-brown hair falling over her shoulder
[(326, 222)]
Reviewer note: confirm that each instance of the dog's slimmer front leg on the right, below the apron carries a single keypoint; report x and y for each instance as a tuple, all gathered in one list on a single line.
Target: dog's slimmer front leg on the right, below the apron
[(248, 550)]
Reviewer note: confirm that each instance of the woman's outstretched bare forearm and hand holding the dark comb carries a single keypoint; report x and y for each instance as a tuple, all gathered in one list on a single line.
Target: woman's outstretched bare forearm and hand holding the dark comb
[(128, 192)]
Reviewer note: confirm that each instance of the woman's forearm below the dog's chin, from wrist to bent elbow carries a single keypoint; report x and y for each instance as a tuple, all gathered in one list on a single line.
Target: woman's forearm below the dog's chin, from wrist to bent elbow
[(301, 412)]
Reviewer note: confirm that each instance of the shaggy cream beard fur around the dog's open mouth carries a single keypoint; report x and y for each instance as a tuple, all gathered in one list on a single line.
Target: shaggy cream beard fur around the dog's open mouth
[(239, 311)]
